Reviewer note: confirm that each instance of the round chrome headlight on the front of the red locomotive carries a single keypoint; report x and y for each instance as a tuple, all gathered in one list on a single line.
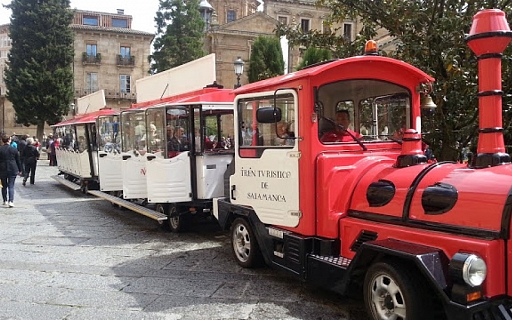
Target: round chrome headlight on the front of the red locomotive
[(468, 267)]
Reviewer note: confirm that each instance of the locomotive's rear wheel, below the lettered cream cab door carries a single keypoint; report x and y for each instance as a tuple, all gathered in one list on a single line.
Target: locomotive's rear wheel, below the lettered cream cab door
[(245, 246)]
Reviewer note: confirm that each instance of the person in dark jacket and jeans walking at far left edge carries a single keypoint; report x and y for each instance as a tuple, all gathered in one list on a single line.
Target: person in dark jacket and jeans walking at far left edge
[(10, 167)]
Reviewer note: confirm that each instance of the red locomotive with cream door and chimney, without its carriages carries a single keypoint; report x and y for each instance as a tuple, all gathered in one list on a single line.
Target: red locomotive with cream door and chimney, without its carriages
[(366, 213)]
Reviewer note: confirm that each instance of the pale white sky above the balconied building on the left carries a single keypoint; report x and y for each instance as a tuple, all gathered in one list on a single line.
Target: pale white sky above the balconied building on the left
[(142, 11)]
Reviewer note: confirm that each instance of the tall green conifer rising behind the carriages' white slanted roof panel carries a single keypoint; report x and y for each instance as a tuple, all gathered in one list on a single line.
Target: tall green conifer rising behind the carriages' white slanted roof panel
[(180, 34)]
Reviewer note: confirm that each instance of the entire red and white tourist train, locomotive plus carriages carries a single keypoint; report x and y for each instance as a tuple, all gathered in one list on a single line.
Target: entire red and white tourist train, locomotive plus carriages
[(322, 173)]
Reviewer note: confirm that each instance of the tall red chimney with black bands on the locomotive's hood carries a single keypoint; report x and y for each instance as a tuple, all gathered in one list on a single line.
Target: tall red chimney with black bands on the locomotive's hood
[(488, 38)]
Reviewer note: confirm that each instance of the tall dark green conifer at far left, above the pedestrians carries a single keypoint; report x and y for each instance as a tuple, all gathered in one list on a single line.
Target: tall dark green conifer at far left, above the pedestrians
[(39, 76)]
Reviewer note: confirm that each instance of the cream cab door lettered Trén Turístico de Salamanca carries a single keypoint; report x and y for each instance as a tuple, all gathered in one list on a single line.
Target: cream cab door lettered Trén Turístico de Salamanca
[(267, 164)]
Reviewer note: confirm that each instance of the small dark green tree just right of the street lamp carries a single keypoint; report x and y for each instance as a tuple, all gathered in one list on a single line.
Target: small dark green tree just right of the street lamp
[(266, 59)]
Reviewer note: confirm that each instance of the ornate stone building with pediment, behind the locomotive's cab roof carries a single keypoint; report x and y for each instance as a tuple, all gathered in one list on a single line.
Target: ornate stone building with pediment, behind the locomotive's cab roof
[(233, 25)]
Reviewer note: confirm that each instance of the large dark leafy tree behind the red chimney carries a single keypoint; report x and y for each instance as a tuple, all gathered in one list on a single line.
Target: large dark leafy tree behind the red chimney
[(432, 38)]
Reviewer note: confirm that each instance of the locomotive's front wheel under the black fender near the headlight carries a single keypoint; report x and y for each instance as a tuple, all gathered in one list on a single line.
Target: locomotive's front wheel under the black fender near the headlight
[(393, 291)]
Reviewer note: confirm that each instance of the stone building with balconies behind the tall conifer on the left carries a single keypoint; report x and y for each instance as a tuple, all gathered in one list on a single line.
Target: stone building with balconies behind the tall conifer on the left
[(109, 55)]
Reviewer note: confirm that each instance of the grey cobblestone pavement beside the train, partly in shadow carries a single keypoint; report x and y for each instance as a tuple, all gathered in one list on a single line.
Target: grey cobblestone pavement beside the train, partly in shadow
[(65, 255)]
